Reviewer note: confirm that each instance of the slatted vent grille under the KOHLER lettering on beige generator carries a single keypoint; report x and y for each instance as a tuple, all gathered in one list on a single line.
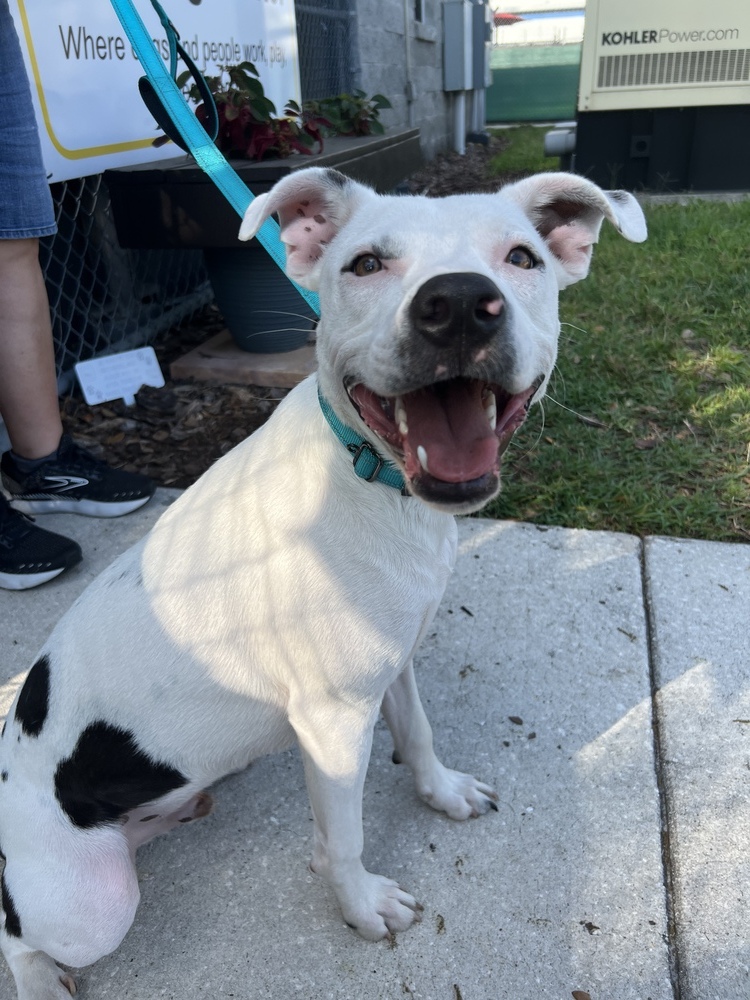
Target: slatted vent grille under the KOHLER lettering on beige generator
[(685, 69)]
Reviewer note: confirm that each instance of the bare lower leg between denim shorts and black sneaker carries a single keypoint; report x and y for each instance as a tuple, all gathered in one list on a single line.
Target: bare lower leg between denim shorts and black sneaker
[(28, 384)]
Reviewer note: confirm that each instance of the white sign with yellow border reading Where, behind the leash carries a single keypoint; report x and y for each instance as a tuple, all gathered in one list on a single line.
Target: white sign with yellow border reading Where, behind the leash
[(84, 73)]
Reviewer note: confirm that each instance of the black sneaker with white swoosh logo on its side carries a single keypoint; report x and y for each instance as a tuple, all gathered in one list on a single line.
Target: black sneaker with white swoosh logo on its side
[(74, 482)]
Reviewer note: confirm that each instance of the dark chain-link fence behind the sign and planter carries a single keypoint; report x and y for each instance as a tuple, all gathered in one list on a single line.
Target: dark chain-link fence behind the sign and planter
[(105, 299)]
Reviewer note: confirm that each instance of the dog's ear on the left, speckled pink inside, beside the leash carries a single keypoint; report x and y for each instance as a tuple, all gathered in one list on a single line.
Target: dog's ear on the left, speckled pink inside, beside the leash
[(312, 205)]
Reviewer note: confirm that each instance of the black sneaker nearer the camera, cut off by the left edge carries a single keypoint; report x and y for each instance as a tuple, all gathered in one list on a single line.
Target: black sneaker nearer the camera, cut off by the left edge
[(30, 555)]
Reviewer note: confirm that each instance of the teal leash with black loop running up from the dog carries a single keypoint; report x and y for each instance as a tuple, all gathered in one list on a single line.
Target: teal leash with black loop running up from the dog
[(161, 92)]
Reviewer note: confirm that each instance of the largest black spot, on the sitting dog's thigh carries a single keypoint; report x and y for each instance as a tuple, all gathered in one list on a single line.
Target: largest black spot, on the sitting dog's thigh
[(108, 774)]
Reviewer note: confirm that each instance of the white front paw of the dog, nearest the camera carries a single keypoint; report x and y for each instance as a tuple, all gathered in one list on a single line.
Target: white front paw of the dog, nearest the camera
[(377, 907)]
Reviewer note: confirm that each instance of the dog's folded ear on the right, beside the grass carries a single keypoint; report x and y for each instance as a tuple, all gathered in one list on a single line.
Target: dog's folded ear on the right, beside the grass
[(568, 211)]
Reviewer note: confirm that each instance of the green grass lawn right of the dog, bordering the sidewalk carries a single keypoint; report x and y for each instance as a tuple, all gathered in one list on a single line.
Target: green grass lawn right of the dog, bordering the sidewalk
[(646, 425)]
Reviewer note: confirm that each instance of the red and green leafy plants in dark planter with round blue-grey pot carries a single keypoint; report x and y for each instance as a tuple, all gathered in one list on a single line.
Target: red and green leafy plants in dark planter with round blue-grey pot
[(170, 206)]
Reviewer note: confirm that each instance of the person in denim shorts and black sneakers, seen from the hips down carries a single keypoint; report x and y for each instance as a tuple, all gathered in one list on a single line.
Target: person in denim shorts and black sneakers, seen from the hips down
[(44, 470)]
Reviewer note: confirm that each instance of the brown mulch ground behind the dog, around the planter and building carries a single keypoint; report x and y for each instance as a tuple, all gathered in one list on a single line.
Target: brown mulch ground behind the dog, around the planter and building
[(175, 433)]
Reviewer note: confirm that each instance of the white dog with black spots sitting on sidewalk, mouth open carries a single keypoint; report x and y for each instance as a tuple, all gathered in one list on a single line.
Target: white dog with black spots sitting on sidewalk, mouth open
[(282, 597)]
